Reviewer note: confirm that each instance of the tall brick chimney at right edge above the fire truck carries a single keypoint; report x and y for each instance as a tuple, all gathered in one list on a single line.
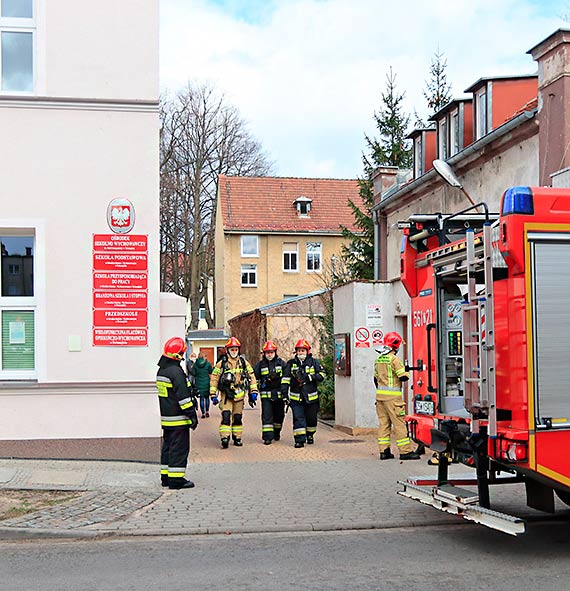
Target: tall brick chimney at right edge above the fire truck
[(553, 58)]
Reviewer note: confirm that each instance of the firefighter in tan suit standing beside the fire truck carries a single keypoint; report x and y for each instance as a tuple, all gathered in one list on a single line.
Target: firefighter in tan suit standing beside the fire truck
[(389, 374)]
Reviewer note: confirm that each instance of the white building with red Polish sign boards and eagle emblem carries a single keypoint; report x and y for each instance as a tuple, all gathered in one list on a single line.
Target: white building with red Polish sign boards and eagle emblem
[(80, 308)]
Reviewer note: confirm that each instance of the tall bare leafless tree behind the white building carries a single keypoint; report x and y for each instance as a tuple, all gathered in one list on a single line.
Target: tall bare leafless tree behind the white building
[(201, 137)]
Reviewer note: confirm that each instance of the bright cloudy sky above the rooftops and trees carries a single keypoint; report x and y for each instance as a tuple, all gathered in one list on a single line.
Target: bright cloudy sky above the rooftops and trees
[(307, 76)]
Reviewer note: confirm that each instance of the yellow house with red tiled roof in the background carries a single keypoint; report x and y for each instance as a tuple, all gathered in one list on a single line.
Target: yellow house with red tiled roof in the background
[(277, 238)]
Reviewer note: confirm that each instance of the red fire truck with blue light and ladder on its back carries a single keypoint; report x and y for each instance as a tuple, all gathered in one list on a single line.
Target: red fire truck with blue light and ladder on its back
[(490, 316)]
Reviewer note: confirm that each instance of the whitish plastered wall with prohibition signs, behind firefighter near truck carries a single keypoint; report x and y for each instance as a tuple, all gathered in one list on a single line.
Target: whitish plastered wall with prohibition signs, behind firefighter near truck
[(355, 395)]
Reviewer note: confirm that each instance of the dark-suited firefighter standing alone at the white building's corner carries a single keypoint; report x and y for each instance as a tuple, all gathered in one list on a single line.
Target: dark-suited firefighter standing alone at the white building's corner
[(178, 415)]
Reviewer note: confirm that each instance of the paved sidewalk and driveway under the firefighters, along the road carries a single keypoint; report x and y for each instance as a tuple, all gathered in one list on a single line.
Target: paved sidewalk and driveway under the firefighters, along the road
[(336, 484)]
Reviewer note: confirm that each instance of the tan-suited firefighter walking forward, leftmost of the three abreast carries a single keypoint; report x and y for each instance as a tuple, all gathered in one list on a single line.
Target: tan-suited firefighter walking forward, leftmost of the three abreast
[(233, 378)]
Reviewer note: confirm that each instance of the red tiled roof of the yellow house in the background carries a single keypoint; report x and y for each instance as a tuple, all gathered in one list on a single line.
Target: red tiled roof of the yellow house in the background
[(267, 204)]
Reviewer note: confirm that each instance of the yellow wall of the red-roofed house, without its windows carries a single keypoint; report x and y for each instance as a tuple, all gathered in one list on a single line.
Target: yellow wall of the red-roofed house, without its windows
[(272, 282)]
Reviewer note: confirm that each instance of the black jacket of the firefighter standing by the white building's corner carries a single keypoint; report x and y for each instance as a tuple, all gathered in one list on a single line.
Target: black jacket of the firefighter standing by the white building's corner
[(177, 407)]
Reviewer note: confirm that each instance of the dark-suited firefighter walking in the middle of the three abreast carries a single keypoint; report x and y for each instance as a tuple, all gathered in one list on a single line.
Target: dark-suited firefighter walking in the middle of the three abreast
[(269, 371)]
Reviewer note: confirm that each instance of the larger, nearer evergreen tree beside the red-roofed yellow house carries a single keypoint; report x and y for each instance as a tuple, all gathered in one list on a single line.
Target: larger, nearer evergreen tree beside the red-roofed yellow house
[(391, 149)]
